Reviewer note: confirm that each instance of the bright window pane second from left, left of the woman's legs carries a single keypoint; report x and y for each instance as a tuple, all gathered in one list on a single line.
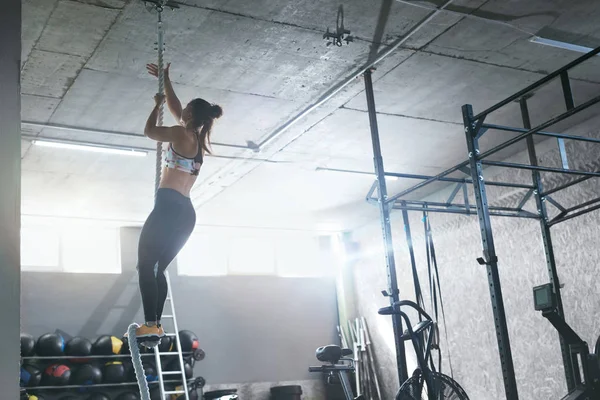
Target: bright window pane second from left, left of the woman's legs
[(91, 250)]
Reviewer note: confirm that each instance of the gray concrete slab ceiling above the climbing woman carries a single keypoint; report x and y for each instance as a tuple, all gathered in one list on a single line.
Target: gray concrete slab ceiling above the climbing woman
[(264, 62)]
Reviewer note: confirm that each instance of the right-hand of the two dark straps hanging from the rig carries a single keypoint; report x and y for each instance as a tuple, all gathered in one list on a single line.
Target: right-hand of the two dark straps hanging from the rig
[(434, 284)]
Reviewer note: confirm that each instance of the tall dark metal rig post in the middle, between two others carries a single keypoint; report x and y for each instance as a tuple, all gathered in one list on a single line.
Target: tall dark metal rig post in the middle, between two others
[(491, 260)]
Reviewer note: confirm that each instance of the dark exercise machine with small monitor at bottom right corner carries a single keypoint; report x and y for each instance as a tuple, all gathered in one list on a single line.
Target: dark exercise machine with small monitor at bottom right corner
[(587, 388)]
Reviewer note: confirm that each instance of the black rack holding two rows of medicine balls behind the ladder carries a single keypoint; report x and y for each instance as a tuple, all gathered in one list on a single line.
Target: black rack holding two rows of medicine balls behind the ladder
[(116, 349)]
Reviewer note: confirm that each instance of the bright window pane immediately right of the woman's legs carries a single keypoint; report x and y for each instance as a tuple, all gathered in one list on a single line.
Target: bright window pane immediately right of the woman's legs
[(203, 255)]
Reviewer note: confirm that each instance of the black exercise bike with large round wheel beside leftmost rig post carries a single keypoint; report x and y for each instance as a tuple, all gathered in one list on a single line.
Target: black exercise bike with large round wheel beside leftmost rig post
[(425, 383)]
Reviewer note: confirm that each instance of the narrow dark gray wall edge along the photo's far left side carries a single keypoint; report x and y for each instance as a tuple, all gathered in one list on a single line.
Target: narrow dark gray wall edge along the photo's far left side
[(10, 195)]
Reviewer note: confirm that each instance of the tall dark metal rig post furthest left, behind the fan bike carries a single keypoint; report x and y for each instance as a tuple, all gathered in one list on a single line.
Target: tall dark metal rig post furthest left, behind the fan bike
[(384, 212)]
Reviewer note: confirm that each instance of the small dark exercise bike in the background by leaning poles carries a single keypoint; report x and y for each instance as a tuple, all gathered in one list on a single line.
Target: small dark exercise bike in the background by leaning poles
[(332, 355)]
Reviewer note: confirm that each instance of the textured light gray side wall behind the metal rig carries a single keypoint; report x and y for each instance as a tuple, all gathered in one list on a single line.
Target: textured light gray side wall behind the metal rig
[(471, 335)]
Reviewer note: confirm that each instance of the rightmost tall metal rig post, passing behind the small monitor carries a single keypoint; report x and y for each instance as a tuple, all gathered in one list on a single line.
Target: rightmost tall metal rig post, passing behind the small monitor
[(547, 240)]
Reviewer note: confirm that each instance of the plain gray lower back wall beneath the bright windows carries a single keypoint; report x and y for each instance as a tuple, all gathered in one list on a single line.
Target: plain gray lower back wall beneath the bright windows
[(253, 329)]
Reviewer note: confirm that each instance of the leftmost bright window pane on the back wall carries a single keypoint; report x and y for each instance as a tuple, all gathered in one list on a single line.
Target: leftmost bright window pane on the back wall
[(40, 249)]
